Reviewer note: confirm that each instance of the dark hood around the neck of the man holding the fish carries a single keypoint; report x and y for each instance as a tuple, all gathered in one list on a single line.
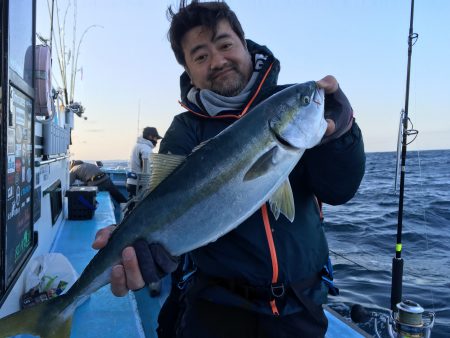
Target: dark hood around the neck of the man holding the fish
[(269, 82)]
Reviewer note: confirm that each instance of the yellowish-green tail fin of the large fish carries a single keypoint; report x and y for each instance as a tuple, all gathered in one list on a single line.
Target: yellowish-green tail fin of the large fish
[(51, 319)]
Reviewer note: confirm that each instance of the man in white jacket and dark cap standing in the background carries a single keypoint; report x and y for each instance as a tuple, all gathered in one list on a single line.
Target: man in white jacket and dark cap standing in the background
[(141, 150)]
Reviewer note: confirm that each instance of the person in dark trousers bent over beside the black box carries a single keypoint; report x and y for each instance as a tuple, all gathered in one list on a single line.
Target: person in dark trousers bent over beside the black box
[(92, 175)]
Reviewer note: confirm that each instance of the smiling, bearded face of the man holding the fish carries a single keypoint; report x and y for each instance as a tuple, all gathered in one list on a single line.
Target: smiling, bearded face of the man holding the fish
[(219, 62)]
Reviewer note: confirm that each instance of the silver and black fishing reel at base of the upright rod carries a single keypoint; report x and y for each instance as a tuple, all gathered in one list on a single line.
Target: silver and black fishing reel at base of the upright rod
[(410, 321)]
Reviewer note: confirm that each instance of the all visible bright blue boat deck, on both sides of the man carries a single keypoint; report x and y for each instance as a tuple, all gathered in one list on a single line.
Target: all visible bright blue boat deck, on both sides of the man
[(135, 315)]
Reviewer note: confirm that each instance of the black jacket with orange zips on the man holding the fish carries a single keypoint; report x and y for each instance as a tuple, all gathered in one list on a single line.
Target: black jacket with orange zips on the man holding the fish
[(330, 173)]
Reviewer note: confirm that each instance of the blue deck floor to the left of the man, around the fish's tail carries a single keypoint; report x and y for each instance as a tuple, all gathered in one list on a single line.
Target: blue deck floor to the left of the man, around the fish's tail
[(102, 315)]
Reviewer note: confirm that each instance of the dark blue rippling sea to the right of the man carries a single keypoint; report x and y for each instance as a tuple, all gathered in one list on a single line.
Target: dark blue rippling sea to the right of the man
[(362, 237)]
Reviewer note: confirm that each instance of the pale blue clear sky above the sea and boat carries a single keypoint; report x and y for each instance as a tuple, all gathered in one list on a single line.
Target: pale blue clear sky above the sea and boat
[(130, 78)]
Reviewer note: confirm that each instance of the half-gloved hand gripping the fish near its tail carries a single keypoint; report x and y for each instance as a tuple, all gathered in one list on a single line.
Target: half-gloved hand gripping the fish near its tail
[(141, 263)]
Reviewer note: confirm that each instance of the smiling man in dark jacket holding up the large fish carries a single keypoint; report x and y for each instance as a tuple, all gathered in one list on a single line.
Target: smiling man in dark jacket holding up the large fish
[(263, 279)]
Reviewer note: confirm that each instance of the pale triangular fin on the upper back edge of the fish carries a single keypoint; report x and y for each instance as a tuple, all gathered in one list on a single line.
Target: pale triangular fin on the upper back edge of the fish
[(162, 165)]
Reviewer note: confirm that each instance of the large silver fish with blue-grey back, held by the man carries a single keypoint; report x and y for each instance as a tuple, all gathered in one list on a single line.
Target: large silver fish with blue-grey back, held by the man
[(243, 167)]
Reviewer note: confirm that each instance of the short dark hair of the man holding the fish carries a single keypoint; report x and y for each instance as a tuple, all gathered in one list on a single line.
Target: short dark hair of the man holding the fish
[(196, 14)]
